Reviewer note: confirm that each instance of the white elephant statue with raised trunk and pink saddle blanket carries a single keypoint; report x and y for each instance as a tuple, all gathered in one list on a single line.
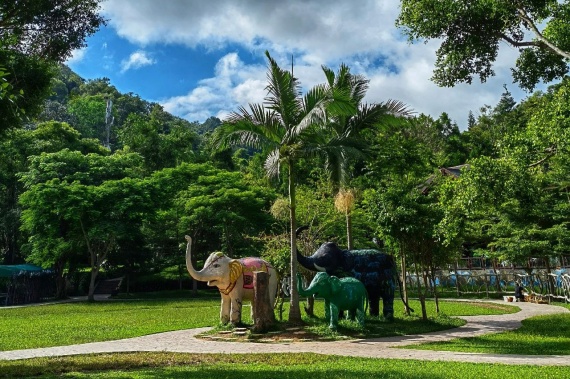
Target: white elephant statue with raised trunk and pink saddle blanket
[(234, 279)]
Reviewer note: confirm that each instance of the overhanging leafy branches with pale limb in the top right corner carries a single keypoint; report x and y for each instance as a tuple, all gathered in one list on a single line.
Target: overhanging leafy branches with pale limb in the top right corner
[(471, 31)]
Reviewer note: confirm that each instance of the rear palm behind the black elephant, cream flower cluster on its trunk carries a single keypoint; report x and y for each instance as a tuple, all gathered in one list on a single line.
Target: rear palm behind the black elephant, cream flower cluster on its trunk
[(345, 143)]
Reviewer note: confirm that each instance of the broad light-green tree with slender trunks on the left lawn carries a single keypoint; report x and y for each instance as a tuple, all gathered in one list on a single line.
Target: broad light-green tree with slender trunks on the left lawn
[(74, 202)]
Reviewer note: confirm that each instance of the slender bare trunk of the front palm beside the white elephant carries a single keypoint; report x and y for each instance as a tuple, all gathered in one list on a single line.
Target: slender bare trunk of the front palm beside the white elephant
[(294, 309)]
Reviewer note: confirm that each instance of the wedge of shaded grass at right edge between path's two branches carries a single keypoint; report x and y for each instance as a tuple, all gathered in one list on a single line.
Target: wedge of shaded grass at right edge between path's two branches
[(541, 335)]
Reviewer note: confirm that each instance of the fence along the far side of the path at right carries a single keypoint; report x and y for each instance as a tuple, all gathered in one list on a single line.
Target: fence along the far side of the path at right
[(540, 283)]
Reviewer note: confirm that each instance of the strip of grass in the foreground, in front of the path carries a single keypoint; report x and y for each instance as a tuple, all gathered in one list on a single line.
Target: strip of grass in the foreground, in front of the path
[(261, 366)]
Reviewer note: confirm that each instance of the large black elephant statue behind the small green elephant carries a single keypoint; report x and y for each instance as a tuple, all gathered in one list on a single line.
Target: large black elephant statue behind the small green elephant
[(374, 268)]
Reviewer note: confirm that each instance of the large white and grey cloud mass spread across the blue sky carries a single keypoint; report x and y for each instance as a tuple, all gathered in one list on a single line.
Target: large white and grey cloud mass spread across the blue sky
[(317, 32)]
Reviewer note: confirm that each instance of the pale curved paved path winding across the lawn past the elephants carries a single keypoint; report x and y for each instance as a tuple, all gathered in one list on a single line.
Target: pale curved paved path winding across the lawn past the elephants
[(183, 341)]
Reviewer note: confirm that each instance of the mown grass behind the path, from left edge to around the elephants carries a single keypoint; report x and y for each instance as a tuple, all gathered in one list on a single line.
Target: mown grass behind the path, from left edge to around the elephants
[(80, 322)]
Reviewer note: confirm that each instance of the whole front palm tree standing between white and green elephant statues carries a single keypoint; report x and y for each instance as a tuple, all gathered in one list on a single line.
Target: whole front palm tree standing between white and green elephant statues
[(288, 125)]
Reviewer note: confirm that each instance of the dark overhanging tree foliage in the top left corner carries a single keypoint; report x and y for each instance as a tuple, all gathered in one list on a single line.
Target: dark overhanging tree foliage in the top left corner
[(33, 36)]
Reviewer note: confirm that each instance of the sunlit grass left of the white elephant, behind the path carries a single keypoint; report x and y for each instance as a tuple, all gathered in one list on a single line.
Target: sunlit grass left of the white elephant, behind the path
[(72, 323)]
